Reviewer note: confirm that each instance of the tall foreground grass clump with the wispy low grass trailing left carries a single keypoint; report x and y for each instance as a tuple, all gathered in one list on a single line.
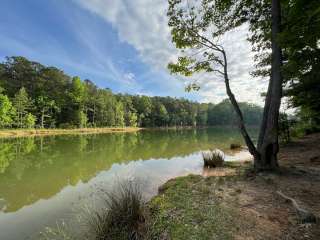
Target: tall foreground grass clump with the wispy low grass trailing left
[(120, 216)]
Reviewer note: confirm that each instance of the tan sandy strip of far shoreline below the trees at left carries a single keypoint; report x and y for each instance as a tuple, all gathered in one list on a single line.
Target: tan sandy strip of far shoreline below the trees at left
[(16, 133)]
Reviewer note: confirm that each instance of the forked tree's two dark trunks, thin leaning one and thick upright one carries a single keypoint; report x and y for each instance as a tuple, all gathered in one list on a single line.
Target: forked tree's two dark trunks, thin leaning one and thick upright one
[(265, 155)]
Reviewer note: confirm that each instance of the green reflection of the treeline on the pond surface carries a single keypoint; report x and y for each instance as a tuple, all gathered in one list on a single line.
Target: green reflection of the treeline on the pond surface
[(41, 167)]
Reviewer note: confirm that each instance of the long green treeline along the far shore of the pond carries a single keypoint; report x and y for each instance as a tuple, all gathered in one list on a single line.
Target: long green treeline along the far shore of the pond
[(34, 95)]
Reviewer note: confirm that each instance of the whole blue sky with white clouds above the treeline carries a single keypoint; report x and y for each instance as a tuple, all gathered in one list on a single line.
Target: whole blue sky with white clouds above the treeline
[(123, 45)]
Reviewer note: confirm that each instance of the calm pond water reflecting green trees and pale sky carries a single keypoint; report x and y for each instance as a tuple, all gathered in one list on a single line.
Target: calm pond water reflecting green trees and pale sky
[(43, 179)]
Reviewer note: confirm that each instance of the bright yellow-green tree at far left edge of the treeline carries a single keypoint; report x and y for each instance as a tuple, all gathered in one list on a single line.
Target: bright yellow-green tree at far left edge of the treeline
[(7, 112)]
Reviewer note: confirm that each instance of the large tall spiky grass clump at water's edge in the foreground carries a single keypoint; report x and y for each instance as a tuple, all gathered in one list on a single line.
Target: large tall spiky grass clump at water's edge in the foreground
[(122, 215)]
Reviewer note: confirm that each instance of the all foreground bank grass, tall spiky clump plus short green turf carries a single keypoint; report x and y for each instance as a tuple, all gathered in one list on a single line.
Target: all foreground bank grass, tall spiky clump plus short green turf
[(189, 207)]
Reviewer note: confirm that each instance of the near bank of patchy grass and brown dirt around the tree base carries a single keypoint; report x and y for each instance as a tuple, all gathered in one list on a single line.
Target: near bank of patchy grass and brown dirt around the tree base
[(241, 205)]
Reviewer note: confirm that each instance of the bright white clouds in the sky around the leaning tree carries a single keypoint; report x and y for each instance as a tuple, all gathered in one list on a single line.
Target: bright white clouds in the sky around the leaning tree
[(143, 24)]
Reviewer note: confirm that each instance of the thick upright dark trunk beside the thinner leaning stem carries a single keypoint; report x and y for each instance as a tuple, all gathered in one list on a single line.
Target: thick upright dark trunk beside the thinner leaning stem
[(268, 146)]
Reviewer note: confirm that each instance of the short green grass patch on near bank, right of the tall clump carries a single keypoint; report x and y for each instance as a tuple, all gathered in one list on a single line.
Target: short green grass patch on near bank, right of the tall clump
[(189, 208)]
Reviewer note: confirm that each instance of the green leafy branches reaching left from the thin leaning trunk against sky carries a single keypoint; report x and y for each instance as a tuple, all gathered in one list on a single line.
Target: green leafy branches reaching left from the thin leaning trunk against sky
[(195, 33)]
